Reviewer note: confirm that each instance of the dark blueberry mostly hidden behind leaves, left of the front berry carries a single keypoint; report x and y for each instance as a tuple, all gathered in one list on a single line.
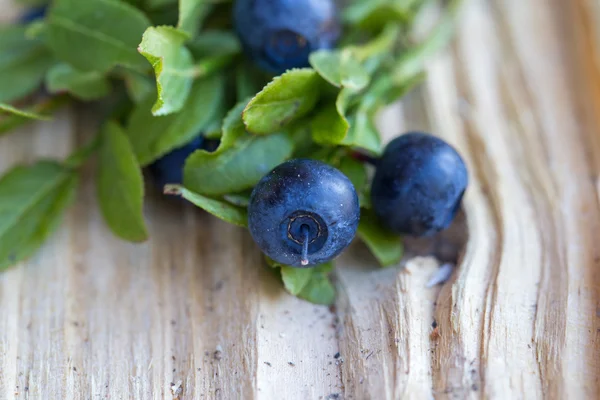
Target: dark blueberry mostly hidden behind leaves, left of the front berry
[(169, 168)]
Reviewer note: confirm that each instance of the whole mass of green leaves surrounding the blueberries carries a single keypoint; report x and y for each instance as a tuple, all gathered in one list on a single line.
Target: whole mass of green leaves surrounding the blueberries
[(171, 70)]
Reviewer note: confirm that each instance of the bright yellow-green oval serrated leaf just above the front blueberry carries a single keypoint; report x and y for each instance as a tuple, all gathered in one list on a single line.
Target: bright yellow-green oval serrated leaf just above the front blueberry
[(285, 99)]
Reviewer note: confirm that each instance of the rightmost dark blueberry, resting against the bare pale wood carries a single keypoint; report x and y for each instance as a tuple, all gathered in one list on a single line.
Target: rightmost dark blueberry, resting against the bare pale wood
[(418, 184)]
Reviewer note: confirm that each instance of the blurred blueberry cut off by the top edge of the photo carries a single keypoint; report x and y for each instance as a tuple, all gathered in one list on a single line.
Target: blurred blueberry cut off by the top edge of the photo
[(280, 34)]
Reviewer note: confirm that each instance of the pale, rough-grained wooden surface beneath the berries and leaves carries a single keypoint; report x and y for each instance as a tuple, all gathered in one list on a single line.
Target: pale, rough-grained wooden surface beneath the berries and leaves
[(192, 313)]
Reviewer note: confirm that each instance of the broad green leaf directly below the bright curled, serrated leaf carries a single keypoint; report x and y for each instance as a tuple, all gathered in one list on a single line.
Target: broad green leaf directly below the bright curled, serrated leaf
[(152, 137)]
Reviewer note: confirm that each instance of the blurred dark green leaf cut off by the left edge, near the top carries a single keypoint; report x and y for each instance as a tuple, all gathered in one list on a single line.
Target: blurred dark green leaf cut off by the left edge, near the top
[(23, 63)]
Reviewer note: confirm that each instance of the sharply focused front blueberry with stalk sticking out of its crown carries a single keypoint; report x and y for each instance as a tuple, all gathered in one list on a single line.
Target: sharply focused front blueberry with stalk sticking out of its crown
[(304, 212)]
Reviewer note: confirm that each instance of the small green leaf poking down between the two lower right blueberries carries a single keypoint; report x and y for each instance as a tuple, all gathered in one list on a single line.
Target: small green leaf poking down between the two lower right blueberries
[(385, 245)]
